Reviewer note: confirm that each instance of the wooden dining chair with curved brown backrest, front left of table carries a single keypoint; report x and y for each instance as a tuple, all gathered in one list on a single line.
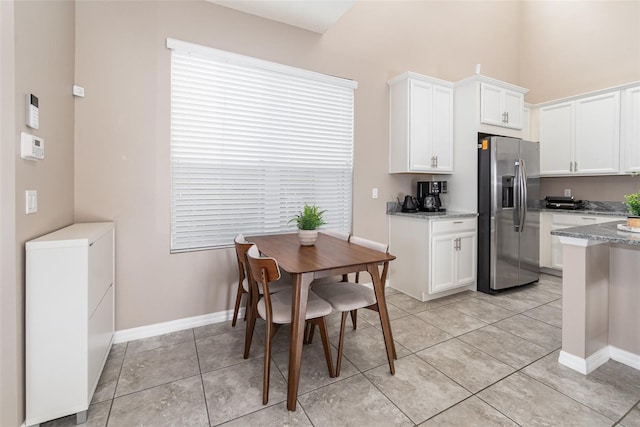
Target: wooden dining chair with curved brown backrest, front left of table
[(275, 309)]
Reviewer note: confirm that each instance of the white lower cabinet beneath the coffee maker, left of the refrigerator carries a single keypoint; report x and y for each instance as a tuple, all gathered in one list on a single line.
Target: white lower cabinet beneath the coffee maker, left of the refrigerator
[(434, 257)]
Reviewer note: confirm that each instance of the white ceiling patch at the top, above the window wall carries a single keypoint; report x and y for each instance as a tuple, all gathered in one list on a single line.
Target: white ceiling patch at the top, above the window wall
[(312, 15)]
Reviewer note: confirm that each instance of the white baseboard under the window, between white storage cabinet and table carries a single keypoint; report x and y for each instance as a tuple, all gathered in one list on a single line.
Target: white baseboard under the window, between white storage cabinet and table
[(126, 335)]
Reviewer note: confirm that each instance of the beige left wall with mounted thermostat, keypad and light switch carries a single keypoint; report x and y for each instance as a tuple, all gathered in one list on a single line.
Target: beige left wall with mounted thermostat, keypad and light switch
[(44, 58)]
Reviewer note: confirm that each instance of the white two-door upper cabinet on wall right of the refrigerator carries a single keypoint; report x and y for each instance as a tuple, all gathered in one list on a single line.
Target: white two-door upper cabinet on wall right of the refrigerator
[(581, 137)]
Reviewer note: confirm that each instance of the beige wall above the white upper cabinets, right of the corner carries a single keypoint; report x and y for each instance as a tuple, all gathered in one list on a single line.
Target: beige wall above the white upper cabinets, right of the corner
[(570, 47)]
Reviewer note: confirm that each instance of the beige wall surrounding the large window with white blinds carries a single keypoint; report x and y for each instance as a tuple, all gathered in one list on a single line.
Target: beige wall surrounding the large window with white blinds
[(122, 144)]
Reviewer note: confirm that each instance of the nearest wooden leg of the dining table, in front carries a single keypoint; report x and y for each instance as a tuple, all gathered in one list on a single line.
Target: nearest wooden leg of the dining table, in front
[(301, 284)]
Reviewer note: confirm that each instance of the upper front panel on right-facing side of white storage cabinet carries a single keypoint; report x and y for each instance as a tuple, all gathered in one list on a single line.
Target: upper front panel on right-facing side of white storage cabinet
[(100, 269)]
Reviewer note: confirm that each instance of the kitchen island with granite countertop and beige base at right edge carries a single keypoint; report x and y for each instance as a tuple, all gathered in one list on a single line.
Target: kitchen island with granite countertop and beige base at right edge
[(600, 296)]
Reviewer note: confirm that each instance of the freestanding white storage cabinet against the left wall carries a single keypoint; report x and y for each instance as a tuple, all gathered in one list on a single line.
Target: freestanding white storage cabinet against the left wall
[(69, 318)]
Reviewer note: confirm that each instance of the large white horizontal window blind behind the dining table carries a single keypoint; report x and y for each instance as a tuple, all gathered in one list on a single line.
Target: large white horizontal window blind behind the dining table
[(251, 143)]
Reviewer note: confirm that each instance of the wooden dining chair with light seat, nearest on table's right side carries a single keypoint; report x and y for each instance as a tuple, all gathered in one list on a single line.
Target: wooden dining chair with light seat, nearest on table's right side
[(348, 297)]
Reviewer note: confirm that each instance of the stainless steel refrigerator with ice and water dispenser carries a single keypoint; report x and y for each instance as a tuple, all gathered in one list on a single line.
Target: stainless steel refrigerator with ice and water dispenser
[(508, 208)]
